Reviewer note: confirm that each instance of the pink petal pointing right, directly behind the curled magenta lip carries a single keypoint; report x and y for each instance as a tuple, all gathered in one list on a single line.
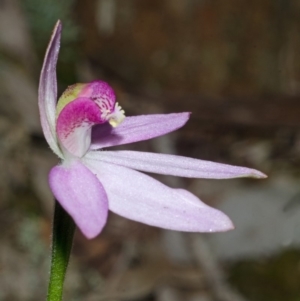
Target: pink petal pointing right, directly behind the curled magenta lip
[(137, 128)]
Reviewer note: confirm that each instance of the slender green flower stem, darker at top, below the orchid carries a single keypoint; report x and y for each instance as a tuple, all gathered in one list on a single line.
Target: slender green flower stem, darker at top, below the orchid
[(62, 240)]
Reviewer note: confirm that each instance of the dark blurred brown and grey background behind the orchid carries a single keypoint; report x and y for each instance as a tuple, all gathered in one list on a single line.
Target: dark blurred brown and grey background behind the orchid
[(235, 65)]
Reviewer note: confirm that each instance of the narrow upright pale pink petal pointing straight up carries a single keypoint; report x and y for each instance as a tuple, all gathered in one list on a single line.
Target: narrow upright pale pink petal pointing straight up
[(48, 90)]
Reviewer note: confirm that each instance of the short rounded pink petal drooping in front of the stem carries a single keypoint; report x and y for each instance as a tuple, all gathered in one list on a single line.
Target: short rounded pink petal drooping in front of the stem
[(81, 194)]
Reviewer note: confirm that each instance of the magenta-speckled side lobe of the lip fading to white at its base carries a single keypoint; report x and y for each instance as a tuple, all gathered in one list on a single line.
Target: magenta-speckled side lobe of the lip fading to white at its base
[(74, 125)]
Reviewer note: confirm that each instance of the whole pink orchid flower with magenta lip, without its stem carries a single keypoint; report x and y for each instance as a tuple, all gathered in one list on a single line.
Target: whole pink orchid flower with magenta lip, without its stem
[(90, 181)]
